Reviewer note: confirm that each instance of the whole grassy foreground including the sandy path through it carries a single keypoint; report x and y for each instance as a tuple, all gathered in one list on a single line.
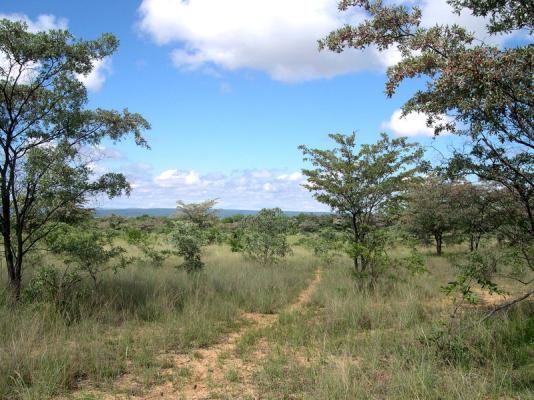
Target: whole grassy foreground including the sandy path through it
[(238, 330)]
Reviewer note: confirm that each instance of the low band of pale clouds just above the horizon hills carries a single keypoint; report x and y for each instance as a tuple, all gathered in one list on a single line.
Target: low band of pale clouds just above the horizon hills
[(241, 189)]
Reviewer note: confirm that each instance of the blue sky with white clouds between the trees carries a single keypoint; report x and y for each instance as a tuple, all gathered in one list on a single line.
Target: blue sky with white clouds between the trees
[(231, 89)]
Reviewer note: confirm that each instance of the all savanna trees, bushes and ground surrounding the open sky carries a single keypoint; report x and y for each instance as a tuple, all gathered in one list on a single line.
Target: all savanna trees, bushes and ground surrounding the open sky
[(103, 311)]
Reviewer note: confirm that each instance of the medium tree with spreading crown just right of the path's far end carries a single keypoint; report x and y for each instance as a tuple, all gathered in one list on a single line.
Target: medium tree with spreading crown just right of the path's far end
[(360, 184)]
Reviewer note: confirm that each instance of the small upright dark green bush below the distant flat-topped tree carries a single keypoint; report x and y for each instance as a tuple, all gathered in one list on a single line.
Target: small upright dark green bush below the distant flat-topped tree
[(189, 239)]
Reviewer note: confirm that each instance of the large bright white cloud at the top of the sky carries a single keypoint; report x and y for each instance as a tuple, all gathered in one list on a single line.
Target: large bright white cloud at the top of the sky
[(278, 37)]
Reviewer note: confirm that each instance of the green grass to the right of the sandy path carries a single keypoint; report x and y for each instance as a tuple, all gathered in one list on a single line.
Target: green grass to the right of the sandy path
[(387, 343)]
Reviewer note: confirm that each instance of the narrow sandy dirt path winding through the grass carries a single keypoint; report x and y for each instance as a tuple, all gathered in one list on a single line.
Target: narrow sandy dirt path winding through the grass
[(217, 371)]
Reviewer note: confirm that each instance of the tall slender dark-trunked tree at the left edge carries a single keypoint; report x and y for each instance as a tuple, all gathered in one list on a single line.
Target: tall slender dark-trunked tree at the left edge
[(46, 133)]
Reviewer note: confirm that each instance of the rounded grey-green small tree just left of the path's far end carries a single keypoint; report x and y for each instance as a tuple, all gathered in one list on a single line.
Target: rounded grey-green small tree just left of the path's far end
[(265, 236)]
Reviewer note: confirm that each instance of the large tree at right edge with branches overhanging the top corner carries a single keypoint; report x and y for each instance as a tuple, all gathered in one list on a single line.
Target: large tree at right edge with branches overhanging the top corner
[(486, 92)]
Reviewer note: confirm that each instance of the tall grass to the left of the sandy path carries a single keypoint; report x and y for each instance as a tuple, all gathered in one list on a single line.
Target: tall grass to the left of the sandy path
[(136, 315)]
